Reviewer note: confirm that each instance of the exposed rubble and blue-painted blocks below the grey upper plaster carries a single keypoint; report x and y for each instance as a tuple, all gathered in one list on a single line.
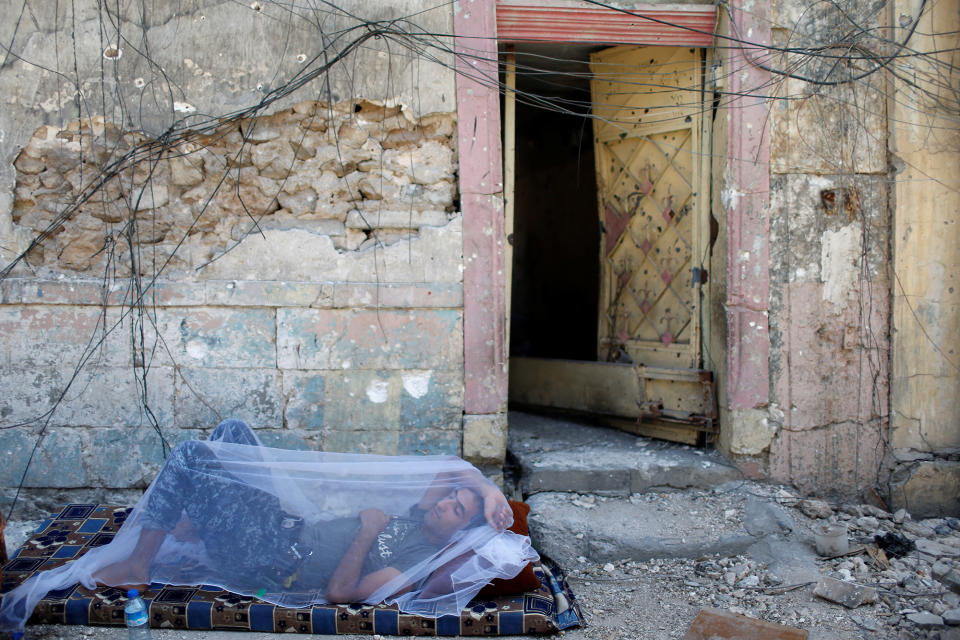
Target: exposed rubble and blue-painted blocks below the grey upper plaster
[(303, 275)]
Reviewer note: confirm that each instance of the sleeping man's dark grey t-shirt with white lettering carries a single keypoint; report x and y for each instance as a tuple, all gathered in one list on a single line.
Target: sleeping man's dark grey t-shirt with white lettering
[(400, 545)]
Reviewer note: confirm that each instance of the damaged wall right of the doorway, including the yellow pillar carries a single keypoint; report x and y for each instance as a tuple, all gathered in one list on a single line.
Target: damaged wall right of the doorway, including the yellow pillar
[(862, 241)]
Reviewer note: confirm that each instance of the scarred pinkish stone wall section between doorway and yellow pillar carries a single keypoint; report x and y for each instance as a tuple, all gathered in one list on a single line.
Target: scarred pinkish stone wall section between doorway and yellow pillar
[(822, 423)]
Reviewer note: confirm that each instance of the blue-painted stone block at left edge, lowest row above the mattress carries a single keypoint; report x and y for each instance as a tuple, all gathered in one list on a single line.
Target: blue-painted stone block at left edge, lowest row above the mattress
[(57, 462)]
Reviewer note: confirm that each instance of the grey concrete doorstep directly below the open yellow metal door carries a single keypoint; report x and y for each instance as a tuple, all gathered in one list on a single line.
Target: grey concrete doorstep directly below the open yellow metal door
[(558, 454)]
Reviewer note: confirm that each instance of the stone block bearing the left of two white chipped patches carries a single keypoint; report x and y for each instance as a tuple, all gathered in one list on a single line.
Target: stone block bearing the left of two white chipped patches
[(367, 400)]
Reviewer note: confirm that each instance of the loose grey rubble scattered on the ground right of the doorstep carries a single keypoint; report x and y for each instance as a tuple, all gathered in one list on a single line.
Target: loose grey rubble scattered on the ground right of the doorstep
[(900, 577)]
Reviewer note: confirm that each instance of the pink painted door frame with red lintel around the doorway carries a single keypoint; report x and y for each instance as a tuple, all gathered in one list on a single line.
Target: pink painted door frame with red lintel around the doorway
[(481, 180)]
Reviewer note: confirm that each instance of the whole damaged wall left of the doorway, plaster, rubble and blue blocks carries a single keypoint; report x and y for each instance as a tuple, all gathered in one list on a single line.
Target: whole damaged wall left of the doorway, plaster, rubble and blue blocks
[(300, 270)]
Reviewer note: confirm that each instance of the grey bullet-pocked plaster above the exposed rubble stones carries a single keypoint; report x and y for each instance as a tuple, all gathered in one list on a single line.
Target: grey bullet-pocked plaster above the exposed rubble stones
[(215, 57)]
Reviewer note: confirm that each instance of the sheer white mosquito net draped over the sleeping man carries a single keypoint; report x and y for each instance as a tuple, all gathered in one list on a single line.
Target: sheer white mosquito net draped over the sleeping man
[(297, 528)]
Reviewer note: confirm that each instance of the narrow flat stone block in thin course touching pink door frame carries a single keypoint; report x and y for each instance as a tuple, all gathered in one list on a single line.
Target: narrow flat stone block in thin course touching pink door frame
[(381, 295)]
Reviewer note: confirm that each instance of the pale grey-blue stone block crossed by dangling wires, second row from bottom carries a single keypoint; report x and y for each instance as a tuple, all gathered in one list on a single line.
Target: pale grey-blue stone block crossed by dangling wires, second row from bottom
[(111, 396)]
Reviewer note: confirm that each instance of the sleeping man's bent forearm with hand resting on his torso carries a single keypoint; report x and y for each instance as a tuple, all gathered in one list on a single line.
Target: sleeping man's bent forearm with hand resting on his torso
[(346, 584)]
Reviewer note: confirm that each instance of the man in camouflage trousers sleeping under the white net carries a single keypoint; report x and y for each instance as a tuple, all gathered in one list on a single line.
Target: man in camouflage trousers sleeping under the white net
[(349, 559)]
